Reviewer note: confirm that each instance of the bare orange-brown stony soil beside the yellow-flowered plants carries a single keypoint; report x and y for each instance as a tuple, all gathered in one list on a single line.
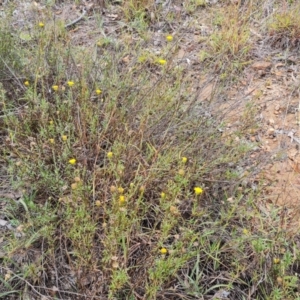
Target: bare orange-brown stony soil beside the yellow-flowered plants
[(270, 82)]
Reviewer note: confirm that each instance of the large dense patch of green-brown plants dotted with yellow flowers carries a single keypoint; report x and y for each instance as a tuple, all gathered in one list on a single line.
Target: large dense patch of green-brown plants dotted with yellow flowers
[(124, 194)]
